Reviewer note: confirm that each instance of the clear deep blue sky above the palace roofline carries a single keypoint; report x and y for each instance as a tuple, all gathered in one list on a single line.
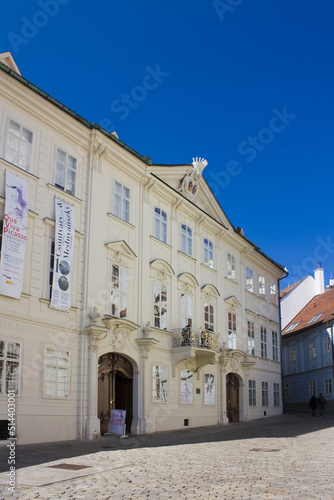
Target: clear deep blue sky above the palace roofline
[(246, 84)]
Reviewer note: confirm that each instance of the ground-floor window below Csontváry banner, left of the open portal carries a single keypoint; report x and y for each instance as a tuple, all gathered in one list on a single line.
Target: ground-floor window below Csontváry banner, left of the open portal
[(56, 373)]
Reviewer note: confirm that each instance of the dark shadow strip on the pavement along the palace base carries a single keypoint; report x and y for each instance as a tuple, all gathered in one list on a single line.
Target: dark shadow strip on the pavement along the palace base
[(283, 426)]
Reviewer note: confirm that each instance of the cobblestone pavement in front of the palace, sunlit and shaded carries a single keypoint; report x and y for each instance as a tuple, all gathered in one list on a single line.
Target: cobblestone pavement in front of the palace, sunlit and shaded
[(278, 458)]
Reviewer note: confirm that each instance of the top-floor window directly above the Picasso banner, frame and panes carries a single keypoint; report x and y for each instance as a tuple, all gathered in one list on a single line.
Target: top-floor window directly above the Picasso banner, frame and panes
[(18, 147)]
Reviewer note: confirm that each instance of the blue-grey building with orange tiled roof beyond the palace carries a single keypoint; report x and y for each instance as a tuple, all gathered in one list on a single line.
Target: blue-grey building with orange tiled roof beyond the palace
[(307, 351)]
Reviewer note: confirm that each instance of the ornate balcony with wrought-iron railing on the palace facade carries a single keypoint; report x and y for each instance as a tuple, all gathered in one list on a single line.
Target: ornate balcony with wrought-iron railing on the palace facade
[(199, 347)]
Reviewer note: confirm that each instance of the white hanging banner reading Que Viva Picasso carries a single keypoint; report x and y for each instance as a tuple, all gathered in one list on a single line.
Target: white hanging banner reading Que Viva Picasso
[(14, 236)]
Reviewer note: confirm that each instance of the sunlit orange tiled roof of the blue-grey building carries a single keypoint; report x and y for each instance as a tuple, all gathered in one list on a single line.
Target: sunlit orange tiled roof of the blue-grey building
[(318, 311)]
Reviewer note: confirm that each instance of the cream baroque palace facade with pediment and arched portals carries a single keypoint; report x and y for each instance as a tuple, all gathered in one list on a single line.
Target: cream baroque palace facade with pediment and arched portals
[(174, 313)]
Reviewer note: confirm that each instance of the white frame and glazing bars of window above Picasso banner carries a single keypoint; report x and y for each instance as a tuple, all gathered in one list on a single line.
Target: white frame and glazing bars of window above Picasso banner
[(22, 161)]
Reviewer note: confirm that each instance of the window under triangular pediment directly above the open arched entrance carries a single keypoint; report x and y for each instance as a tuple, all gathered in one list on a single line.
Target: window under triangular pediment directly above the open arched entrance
[(119, 291)]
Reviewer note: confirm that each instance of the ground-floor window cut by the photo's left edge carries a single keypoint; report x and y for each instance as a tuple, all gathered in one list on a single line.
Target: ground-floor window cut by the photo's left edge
[(10, 353)]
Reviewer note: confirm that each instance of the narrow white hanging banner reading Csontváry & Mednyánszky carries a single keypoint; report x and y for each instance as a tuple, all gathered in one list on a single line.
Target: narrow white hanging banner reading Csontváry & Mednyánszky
[(63, 257)]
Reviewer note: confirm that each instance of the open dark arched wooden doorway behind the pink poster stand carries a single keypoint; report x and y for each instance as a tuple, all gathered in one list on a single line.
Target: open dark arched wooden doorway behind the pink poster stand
[(115, 388)]
